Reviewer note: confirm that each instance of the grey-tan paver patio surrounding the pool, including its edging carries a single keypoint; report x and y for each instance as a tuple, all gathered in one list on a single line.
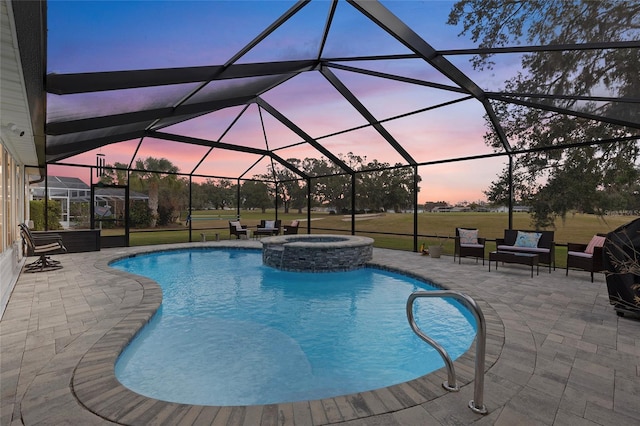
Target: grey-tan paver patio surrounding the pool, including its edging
[(557, 353)]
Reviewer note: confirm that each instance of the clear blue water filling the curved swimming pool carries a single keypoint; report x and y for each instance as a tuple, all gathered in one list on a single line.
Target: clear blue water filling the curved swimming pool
[(231, 331)]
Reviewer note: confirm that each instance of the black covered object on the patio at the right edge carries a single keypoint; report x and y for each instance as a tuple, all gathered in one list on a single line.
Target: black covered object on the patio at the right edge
[(622, 265)]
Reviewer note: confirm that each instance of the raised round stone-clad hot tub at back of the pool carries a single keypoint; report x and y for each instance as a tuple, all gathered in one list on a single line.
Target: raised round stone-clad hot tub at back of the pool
[(317, 252)]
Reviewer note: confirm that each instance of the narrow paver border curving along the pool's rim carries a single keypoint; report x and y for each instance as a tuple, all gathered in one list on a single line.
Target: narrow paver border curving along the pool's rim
[(95, 386)]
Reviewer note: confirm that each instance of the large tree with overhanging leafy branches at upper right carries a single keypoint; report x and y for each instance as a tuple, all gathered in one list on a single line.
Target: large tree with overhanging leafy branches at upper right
[(556, 181)]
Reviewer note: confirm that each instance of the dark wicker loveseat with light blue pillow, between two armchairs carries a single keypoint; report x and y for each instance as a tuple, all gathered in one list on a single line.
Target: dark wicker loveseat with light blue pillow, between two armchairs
[(522, 241)]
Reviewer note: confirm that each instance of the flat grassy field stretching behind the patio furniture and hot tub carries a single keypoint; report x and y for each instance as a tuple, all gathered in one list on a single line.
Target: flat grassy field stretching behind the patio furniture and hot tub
[(380, 227)]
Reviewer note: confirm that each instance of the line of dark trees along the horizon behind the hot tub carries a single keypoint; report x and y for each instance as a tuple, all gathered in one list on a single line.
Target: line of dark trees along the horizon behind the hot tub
[(379, 187)]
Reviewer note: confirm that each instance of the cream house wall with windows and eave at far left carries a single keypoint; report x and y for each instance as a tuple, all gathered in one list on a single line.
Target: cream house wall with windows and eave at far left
[(17, 142)]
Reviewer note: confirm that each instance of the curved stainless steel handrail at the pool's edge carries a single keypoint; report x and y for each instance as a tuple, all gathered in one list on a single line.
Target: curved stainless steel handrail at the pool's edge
[(476, 404)]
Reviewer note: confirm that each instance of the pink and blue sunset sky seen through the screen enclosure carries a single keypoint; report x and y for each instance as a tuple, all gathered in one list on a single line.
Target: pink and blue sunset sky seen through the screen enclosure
[(89, 36)]
